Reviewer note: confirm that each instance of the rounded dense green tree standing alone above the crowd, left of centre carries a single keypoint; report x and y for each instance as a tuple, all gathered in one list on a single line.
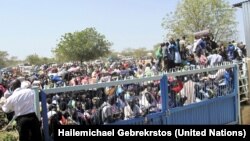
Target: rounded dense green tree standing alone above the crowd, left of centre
[(82, 46)]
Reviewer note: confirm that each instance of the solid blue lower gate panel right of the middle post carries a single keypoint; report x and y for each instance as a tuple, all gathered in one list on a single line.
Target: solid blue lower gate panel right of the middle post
[(213, 112)]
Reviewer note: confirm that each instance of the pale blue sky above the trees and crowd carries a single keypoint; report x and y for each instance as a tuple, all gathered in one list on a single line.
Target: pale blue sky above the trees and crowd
[(28, 27)]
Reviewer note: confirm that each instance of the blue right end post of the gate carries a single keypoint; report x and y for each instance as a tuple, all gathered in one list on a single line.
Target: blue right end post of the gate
[(236, 92)]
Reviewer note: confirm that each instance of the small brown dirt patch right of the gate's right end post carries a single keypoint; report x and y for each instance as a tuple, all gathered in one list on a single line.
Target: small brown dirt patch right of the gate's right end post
[(245, 113)]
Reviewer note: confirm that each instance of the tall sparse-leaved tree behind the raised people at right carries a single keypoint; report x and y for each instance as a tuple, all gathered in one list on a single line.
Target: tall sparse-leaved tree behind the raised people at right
[(196, 15)]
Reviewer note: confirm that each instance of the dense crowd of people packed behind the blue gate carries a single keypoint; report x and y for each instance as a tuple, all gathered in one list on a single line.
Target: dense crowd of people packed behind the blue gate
[(123, 102)]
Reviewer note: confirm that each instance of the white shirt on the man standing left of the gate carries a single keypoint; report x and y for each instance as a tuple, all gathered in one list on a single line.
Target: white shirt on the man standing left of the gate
[(21, 101)]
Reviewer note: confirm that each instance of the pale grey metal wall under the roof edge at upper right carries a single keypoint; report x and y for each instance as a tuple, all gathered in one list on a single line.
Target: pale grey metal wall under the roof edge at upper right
[(246, 18)]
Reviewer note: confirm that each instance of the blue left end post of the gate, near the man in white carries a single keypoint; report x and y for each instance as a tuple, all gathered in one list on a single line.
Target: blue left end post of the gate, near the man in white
[(45, 117)]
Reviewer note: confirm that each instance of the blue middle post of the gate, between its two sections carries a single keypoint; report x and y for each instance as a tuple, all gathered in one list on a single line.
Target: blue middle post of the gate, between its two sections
[(164, 94)]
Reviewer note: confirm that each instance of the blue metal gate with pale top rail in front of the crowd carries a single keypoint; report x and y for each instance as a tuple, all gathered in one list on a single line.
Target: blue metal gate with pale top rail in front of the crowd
[(221, 108)]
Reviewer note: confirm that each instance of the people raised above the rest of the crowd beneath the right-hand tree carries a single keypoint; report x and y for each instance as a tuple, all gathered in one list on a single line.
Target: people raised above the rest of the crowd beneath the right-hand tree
[(204, 52)]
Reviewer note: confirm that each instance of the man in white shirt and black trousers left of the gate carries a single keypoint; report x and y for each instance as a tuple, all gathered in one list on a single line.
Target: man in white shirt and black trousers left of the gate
[(22, 103)]
